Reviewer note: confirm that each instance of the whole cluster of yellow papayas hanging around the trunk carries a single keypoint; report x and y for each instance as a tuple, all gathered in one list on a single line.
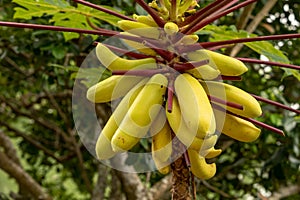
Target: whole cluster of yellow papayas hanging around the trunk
[(170, 94)]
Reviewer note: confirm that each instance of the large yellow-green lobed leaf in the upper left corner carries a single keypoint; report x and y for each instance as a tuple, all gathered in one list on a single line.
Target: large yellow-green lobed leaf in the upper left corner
[(63, 14)]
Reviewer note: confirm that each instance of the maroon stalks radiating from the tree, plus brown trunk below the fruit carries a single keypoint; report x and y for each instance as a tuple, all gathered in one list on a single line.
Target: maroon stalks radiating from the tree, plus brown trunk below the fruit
[(191, 24)]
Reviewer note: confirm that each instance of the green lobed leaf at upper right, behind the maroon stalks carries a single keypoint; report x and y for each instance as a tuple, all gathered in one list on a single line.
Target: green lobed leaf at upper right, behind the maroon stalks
[(221, 33)]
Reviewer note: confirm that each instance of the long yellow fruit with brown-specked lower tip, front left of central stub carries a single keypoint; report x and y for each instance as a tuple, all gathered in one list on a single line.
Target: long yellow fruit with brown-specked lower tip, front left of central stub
[(141, 114)]
